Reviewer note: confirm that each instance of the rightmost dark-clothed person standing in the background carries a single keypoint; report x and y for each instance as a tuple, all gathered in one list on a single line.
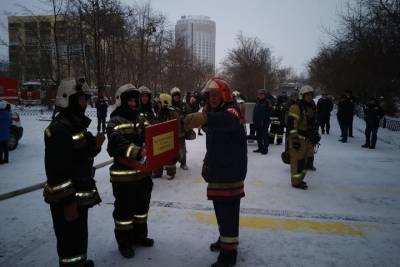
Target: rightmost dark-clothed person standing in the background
[(373, 115)]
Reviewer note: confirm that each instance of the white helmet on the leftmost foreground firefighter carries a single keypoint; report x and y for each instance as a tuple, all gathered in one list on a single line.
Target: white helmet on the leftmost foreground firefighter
[(69, 87)]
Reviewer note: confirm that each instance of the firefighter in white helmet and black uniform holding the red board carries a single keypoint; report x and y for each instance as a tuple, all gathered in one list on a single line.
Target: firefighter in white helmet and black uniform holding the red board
[(131, 187)]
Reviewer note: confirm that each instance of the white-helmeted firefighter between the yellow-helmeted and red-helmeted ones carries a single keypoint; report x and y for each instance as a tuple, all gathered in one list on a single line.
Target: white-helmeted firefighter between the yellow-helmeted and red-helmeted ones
[(180, 109)]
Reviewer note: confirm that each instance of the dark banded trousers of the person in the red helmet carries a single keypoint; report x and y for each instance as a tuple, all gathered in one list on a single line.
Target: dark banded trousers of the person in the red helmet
[(227, 213)]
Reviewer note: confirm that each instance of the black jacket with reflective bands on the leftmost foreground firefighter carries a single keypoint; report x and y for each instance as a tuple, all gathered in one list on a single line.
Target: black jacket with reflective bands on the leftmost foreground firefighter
[(69, 153)]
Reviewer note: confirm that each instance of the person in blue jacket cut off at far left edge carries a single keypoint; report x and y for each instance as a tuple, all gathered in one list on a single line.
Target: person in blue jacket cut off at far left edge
[(5, 124)]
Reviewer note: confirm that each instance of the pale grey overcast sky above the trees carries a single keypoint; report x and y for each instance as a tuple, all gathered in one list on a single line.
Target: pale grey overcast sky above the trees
[(293, 29)]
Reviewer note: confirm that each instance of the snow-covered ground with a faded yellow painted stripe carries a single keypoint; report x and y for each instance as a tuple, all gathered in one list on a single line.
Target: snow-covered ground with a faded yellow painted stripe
[(350, 216)]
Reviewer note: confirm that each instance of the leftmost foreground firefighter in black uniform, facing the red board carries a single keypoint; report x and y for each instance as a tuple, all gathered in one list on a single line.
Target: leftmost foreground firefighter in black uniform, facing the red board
[(70, 188)]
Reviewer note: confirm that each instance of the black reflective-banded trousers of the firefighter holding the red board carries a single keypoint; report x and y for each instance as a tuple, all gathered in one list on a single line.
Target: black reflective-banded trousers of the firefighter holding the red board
[(132, 200)]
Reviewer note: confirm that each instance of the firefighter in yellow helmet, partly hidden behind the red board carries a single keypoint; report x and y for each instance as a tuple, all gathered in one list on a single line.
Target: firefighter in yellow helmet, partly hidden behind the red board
[(167, 112)]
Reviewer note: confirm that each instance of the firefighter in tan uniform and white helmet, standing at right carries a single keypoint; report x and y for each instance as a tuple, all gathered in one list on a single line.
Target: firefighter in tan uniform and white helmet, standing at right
[(303, 136)]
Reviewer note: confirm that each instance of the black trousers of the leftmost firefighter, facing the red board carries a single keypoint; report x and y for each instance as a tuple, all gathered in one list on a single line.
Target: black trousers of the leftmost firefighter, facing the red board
[(72, 237)]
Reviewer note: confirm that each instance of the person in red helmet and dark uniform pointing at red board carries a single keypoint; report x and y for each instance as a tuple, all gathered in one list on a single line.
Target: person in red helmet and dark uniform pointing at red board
[(225, 164)]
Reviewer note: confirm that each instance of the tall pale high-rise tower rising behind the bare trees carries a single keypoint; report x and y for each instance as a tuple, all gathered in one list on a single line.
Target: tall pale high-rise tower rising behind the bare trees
[(198, 33)]
